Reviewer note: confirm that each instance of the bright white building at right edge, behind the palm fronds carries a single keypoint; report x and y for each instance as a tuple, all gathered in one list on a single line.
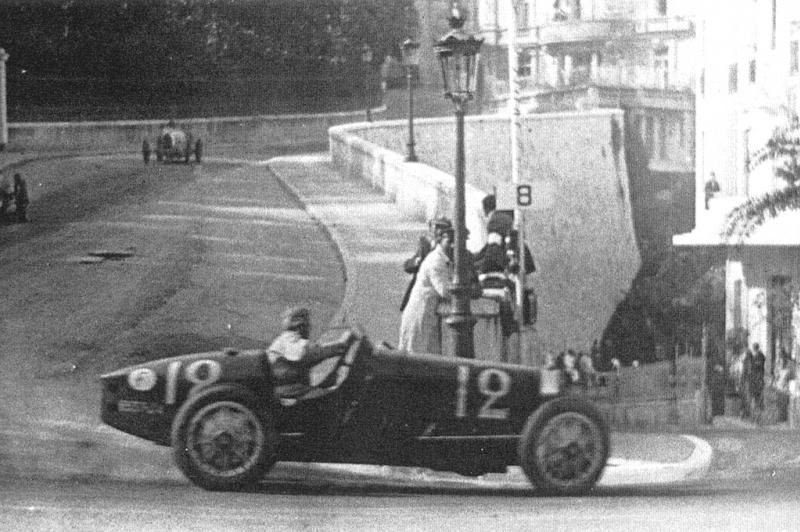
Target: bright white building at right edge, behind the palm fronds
[(749, 85)]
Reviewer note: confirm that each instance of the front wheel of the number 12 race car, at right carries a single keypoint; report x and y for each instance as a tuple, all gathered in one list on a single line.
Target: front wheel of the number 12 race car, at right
[(564, 446)]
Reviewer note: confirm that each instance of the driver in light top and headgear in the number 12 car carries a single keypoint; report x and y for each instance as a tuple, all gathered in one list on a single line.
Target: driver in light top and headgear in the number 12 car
[(292, 354)]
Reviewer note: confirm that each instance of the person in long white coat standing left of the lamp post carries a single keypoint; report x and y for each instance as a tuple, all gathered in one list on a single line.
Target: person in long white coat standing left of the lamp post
[(420, 326)]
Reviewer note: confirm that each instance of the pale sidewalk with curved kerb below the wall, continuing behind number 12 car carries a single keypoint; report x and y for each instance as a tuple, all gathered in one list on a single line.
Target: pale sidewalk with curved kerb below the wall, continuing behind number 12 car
[(374, 240)]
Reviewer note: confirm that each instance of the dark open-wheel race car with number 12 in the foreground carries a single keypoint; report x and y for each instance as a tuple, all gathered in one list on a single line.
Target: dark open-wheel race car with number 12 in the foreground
[(228, 423)]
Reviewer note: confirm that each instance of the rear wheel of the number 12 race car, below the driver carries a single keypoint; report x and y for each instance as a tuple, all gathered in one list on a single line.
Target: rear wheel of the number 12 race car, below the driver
[(224, 438)]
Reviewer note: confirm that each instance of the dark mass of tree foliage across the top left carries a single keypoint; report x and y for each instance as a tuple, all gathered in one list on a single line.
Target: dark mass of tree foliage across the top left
[(190, 38)]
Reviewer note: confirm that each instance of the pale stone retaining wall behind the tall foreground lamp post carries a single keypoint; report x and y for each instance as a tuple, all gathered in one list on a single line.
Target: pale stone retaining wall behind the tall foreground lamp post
[(583, 242)]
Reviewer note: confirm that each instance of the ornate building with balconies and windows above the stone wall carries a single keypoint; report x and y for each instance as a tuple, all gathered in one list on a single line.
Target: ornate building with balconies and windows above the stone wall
[(634, 54)]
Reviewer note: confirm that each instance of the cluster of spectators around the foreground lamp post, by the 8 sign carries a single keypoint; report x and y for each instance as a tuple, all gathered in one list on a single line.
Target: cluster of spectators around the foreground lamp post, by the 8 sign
[(431, 270)]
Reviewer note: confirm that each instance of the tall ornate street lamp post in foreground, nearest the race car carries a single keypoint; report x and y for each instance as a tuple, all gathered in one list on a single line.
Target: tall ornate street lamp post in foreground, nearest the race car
[(458, 54)]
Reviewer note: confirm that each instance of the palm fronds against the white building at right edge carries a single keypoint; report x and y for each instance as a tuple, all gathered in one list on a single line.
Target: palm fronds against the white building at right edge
[(783, 150)]
